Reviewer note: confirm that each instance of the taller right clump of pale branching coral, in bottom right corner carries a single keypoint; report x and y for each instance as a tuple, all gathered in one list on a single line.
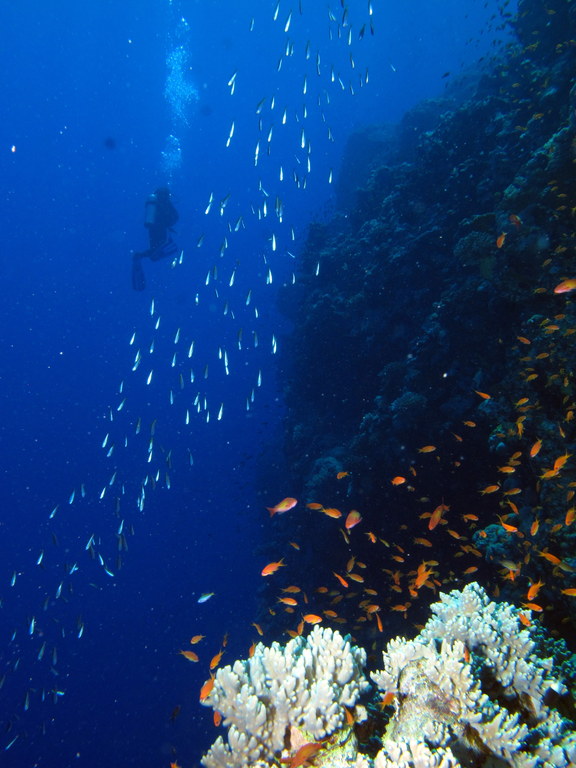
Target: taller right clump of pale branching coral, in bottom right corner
[(472, 682)]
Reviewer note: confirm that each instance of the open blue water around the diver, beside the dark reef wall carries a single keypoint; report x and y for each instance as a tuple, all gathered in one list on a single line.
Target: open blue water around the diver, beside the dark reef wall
[(91, 94)]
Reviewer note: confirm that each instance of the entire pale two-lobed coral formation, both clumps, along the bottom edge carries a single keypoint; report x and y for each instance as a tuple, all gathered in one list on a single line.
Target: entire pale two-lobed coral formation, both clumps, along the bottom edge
[(470, 690)]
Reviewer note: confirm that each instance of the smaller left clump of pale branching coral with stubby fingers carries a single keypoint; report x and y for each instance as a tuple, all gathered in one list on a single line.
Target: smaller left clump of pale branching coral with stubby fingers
[(304, 685)]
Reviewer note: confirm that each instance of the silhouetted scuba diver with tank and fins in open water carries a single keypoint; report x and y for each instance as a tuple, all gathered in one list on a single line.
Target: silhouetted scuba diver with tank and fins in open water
[(159, 219)]
